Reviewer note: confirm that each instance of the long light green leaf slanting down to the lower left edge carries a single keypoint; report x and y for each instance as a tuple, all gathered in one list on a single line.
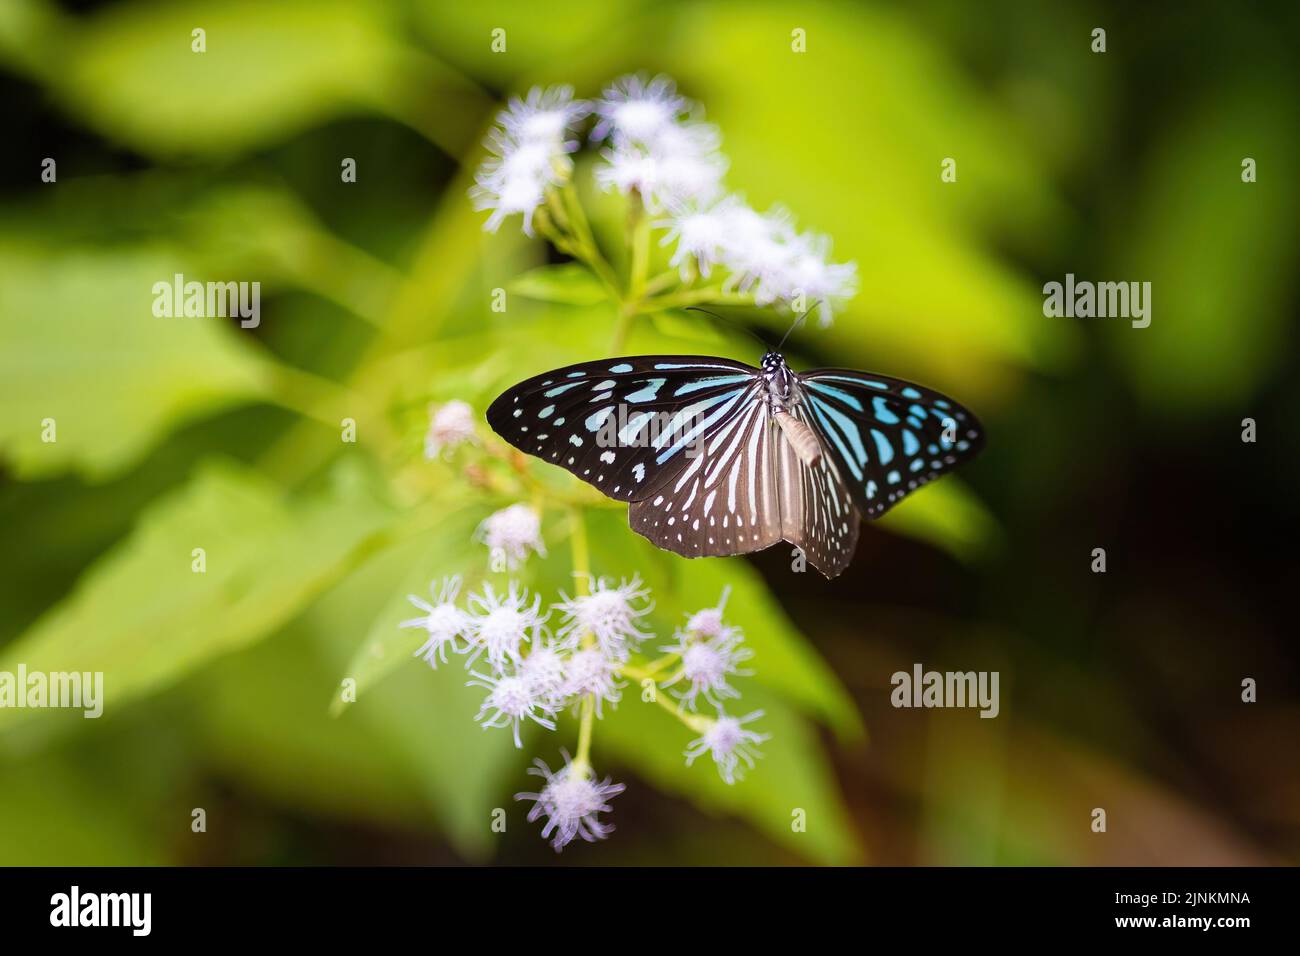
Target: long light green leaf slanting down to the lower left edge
[(145, 618)]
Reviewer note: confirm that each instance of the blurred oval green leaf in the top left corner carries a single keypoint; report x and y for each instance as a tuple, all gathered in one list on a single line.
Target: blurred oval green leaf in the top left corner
[(270, 71)]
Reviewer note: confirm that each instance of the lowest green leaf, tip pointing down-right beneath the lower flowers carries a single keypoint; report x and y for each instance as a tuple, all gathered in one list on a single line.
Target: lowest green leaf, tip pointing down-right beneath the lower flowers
[(791, 780)]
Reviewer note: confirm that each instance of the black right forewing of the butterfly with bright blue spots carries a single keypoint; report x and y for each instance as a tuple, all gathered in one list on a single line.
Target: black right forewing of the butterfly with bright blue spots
[(887, 438)]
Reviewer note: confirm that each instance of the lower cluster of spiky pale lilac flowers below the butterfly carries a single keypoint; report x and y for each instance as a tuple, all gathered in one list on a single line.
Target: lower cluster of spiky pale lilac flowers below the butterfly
[(577, 656)]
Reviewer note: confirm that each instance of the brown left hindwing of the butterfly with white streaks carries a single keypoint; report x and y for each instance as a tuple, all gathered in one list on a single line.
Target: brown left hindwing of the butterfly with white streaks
[(727, 498)]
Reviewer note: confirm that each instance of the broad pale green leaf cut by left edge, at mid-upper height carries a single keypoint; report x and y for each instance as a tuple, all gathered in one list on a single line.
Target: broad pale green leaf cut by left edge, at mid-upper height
[(80, 348)]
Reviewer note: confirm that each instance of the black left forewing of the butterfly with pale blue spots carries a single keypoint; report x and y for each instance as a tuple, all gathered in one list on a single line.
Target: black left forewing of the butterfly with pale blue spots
[(625, 426)]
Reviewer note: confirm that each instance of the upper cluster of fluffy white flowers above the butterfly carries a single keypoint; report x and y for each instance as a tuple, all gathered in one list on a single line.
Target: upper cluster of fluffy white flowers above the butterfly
[(656, 149)]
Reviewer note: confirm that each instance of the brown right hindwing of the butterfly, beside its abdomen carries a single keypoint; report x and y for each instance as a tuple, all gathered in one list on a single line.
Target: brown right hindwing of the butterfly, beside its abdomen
[(818, 513)]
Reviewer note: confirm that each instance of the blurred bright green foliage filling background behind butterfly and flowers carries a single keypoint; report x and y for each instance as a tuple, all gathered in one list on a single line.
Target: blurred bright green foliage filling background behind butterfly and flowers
[(175, 435)]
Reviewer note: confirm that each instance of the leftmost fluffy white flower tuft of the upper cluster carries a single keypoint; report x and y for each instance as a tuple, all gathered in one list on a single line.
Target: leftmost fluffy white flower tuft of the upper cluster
[(530, 153)]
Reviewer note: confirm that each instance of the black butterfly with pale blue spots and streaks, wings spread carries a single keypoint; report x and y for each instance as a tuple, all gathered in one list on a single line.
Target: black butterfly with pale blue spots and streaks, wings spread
[(720, 458)]
